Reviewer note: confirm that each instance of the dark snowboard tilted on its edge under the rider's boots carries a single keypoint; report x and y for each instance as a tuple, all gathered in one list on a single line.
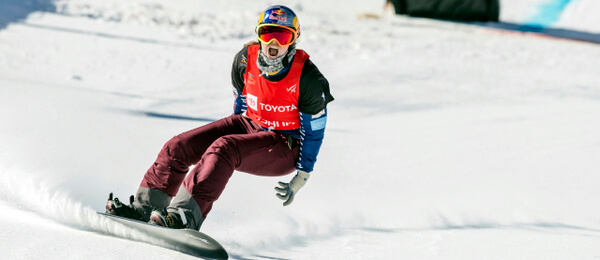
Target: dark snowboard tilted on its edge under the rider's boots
[(185, 240)]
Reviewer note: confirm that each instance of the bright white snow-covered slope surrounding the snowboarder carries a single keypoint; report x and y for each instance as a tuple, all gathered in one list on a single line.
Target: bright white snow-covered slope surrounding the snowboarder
[(445, 141)]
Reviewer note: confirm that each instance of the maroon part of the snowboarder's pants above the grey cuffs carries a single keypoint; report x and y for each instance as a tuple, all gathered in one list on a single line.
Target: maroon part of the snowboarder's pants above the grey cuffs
[(217, 149)]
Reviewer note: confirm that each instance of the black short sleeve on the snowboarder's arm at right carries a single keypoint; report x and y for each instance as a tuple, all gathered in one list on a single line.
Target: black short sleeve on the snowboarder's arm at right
[(314, 90)]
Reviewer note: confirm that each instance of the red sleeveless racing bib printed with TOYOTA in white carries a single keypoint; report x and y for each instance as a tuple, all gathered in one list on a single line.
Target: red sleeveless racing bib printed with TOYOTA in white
[(273, 105)]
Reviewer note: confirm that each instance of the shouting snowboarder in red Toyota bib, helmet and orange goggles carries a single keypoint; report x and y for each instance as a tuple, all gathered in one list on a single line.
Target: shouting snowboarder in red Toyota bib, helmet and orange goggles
[(277, 128)]
